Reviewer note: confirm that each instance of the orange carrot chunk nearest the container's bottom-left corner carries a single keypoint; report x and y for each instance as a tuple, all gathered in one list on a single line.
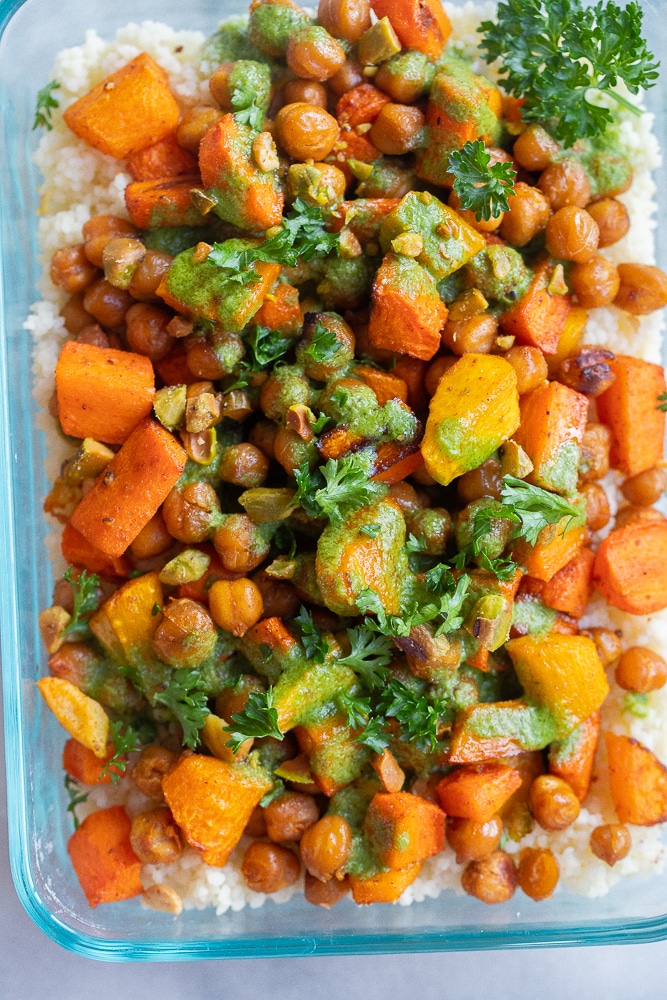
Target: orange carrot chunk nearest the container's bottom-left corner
[(103, 859)]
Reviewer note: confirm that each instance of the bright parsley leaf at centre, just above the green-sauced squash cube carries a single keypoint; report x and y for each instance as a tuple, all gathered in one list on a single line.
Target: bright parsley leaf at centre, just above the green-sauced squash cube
[(336, 489)]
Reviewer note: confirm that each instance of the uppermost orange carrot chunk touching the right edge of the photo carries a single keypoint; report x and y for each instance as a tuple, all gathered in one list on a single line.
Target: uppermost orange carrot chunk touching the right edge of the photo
[(629, 407)]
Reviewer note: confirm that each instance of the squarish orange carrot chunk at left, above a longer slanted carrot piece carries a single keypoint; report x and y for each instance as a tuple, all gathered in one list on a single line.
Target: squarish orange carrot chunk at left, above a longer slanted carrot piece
[(102, 393)]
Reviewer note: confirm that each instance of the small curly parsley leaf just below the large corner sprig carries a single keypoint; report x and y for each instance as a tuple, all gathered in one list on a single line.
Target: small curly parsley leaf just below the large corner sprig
[(482, 188)]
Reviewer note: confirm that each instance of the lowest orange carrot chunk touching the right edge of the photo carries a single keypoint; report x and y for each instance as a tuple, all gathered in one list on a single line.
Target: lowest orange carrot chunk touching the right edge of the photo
[(638, 781)]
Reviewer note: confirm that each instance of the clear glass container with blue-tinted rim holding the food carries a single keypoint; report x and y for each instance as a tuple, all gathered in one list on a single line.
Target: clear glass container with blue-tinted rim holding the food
[(39, 824)]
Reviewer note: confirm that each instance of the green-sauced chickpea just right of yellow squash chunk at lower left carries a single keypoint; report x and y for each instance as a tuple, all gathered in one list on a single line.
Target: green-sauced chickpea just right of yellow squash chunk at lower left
[(186, 634)]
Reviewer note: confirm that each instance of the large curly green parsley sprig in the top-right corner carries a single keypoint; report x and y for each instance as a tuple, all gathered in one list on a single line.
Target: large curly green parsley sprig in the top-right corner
[(553, 54)]
